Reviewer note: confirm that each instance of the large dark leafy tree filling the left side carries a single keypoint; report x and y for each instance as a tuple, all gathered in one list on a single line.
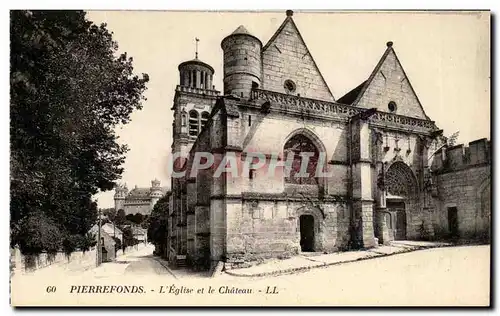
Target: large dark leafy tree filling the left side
[(70, 89)]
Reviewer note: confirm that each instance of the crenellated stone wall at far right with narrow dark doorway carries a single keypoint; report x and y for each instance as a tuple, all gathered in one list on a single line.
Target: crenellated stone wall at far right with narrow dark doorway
[(463, 180)]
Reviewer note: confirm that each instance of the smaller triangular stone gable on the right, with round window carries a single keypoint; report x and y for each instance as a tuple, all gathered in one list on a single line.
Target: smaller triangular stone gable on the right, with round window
[(389, 83)]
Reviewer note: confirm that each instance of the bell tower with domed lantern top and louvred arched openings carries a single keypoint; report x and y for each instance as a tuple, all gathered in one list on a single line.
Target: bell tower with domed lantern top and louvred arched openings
[(194, 97)]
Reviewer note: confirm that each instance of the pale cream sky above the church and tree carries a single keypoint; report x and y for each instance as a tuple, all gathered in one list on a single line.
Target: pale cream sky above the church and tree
[(445, 55)]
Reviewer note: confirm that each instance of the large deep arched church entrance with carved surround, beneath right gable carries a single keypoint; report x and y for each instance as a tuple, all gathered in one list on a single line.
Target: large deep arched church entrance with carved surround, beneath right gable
[(402, 200)]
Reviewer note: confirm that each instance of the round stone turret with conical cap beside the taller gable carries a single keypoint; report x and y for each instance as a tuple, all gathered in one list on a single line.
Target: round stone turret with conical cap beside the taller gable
[(242, 62)]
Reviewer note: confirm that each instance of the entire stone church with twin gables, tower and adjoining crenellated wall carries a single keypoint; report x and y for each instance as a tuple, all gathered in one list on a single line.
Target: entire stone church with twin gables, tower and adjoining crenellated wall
[(391, 172)]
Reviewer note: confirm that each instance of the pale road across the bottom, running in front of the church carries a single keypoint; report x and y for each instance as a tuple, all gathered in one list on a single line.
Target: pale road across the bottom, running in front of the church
[(435, 277)]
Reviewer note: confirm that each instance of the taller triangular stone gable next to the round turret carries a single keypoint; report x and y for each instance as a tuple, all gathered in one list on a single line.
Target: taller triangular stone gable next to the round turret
[(286, 57)]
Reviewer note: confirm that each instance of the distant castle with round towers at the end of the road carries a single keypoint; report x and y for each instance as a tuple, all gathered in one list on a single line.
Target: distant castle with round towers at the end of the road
[(138, 200)]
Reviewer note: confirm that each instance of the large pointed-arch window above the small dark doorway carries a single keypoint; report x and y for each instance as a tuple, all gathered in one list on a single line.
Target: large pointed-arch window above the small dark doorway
[(301, 144)]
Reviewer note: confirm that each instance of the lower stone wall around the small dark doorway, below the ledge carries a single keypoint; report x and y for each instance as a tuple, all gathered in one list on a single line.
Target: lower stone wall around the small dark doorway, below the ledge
[(263, 228)]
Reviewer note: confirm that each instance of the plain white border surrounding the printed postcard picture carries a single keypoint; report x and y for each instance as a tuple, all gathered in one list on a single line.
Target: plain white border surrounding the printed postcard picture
[(199, 6)]
